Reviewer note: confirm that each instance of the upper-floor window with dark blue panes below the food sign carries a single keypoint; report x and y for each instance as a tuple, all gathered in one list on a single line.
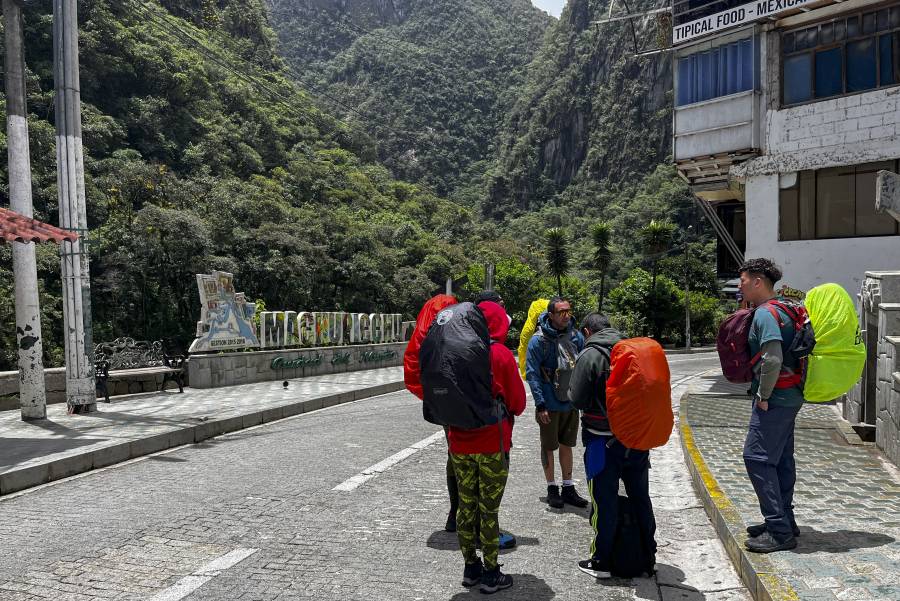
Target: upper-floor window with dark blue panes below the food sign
[(844, 56)]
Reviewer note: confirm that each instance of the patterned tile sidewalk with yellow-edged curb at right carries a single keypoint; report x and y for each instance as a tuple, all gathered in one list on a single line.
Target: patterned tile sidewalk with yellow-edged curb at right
[(847, 503)]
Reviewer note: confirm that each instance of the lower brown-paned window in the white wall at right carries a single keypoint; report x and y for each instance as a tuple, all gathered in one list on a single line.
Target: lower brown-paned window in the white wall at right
[(834, 203)]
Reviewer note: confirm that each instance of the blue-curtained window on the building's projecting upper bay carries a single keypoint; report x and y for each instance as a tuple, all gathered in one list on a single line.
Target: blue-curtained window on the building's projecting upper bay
[(720, 71)]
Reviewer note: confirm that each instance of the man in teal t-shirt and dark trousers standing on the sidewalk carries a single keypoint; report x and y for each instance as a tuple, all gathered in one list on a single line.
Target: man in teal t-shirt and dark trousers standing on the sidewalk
[(777, 398)]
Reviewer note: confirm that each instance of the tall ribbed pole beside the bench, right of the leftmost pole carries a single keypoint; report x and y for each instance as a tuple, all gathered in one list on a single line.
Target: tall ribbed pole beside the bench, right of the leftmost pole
[(80, 391)]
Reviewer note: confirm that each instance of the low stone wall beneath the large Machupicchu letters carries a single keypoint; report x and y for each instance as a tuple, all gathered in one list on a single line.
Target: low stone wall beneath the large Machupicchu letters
[(228, 369)]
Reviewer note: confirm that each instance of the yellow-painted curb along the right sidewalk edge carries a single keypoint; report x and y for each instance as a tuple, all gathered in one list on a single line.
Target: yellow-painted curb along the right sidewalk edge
[(756, 571)]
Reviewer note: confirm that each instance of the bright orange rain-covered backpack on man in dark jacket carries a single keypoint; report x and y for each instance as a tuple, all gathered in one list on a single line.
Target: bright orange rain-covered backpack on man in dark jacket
[(639, 394)]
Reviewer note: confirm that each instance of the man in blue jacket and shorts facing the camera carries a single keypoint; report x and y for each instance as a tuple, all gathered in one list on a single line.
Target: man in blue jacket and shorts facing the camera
[(547, 376)]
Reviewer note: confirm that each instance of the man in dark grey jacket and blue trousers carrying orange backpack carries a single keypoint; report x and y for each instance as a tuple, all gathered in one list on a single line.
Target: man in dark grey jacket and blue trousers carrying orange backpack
[(606, 461)]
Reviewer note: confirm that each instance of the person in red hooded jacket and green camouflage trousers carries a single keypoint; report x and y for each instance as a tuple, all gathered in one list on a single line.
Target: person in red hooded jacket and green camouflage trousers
[(481, 463)]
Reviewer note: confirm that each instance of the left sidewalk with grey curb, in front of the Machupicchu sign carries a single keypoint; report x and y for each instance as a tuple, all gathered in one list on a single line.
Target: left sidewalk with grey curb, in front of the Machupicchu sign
[(33, 453)]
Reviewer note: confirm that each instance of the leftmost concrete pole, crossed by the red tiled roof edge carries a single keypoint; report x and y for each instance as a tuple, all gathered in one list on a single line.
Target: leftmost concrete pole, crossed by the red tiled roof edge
[(32, 394)]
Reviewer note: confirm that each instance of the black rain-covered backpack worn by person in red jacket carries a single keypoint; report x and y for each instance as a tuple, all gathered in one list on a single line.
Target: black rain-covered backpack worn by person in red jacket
[(456, 369)]
